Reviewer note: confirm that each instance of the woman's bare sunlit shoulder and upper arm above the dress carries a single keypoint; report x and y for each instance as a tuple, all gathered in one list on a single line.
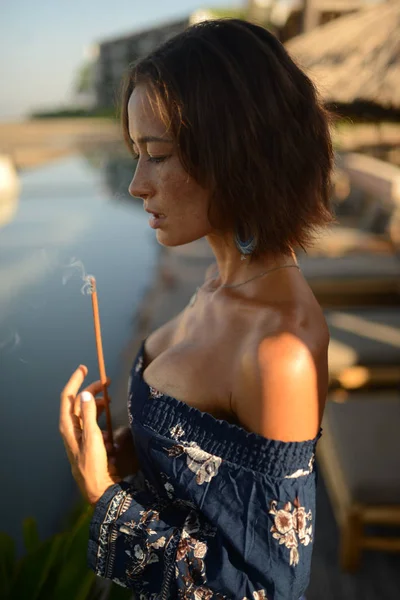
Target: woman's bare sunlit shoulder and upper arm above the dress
[(281, 384)]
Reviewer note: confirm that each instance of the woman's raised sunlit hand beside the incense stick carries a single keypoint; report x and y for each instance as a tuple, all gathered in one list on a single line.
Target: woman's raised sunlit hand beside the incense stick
[(83, 438)]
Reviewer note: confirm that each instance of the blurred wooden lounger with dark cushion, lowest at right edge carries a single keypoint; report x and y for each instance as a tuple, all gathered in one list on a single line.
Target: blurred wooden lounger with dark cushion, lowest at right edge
[(359, 458)]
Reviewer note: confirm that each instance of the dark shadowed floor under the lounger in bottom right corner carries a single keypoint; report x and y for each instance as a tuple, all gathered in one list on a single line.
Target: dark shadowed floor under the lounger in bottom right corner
[(377, 579)]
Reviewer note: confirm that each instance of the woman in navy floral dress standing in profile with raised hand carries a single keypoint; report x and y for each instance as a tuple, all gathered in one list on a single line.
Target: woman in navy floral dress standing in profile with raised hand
[(226, 400)]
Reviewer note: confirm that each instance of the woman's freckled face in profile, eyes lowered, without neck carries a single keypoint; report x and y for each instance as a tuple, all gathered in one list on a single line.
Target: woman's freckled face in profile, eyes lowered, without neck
[(160, 179)]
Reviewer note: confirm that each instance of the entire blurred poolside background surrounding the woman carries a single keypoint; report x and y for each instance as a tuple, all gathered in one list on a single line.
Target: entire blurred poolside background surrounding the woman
[(64, 175)]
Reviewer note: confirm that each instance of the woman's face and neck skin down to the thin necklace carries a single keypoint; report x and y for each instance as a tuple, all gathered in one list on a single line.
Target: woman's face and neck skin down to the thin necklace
[(165, 187)]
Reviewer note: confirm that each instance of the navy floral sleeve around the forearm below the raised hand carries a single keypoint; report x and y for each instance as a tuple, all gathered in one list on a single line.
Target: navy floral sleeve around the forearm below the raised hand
[(133, 539)]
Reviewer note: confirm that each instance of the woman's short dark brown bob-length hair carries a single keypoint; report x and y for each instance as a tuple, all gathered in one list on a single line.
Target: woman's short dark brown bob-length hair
[(249, 127)]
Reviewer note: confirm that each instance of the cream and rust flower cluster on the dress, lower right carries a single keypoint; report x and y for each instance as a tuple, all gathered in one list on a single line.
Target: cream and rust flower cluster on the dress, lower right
[(290, 528)]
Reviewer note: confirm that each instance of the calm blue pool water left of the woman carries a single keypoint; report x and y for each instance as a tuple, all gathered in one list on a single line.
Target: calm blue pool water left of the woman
[(67, 210)]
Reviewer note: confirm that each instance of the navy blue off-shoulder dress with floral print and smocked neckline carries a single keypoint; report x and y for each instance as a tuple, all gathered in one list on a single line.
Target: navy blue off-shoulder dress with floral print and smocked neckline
[(214, 513)]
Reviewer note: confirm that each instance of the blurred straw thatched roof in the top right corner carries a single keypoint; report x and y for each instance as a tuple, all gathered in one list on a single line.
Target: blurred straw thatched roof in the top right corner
[(355, 57)]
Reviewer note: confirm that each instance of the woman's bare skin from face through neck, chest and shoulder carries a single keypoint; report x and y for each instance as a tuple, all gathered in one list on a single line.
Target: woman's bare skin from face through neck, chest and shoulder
[(275, 322)]
